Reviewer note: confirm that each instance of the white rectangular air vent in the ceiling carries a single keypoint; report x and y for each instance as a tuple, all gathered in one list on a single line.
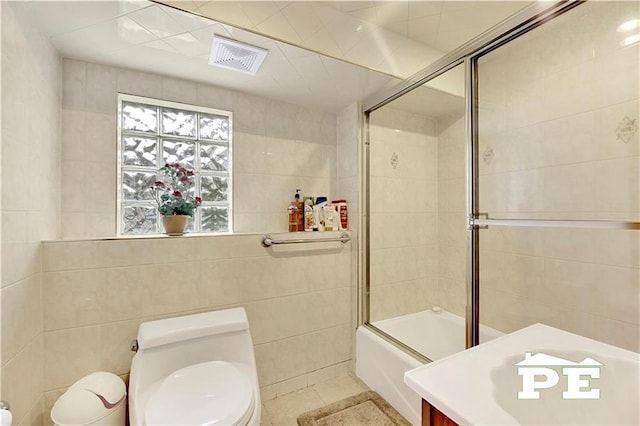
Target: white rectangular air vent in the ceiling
[(236, 56)]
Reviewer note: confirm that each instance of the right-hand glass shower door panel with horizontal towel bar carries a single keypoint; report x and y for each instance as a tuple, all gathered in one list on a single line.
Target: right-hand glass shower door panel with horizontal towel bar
[(558, 165)]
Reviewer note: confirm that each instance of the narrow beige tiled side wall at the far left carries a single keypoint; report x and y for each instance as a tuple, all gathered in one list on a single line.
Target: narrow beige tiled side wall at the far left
[(31, 96)]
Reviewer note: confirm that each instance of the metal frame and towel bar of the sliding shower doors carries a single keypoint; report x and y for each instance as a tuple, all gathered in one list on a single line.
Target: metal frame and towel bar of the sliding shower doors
[(468, 54)]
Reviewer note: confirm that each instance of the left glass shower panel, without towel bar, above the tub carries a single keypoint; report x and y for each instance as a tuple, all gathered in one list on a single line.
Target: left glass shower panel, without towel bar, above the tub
[(416, 191)]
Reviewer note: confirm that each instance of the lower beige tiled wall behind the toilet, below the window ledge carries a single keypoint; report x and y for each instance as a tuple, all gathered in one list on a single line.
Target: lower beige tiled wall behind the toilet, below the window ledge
[(96, 293)]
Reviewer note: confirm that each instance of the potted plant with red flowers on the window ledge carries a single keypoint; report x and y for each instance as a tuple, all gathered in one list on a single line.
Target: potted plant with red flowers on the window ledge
[(174, 197)]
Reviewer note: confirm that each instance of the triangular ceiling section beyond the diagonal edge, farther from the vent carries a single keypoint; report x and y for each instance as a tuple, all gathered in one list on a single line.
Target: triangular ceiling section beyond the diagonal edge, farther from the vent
[(398, 37)]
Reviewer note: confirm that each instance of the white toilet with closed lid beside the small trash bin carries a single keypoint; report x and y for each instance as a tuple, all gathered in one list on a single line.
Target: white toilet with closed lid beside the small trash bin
[(195, 370)]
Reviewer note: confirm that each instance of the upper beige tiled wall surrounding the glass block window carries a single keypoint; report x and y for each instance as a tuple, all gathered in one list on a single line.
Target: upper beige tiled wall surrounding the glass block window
[(278, 147)]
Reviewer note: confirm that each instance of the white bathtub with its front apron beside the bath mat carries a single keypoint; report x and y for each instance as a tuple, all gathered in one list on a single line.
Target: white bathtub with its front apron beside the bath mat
[(381, 365)]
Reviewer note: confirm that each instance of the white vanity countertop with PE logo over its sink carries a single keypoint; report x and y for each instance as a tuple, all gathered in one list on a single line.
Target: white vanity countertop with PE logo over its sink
[(480, 385)]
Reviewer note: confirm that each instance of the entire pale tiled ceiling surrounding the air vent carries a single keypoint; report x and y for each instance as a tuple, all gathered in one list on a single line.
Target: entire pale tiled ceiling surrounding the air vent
[(322, 54)]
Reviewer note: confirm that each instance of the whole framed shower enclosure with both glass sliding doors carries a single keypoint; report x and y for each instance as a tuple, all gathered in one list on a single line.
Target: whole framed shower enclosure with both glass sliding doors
[(502, 186)]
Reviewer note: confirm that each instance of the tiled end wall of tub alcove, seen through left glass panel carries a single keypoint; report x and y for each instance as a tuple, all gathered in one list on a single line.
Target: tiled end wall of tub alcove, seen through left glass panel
[(404, 219)]
